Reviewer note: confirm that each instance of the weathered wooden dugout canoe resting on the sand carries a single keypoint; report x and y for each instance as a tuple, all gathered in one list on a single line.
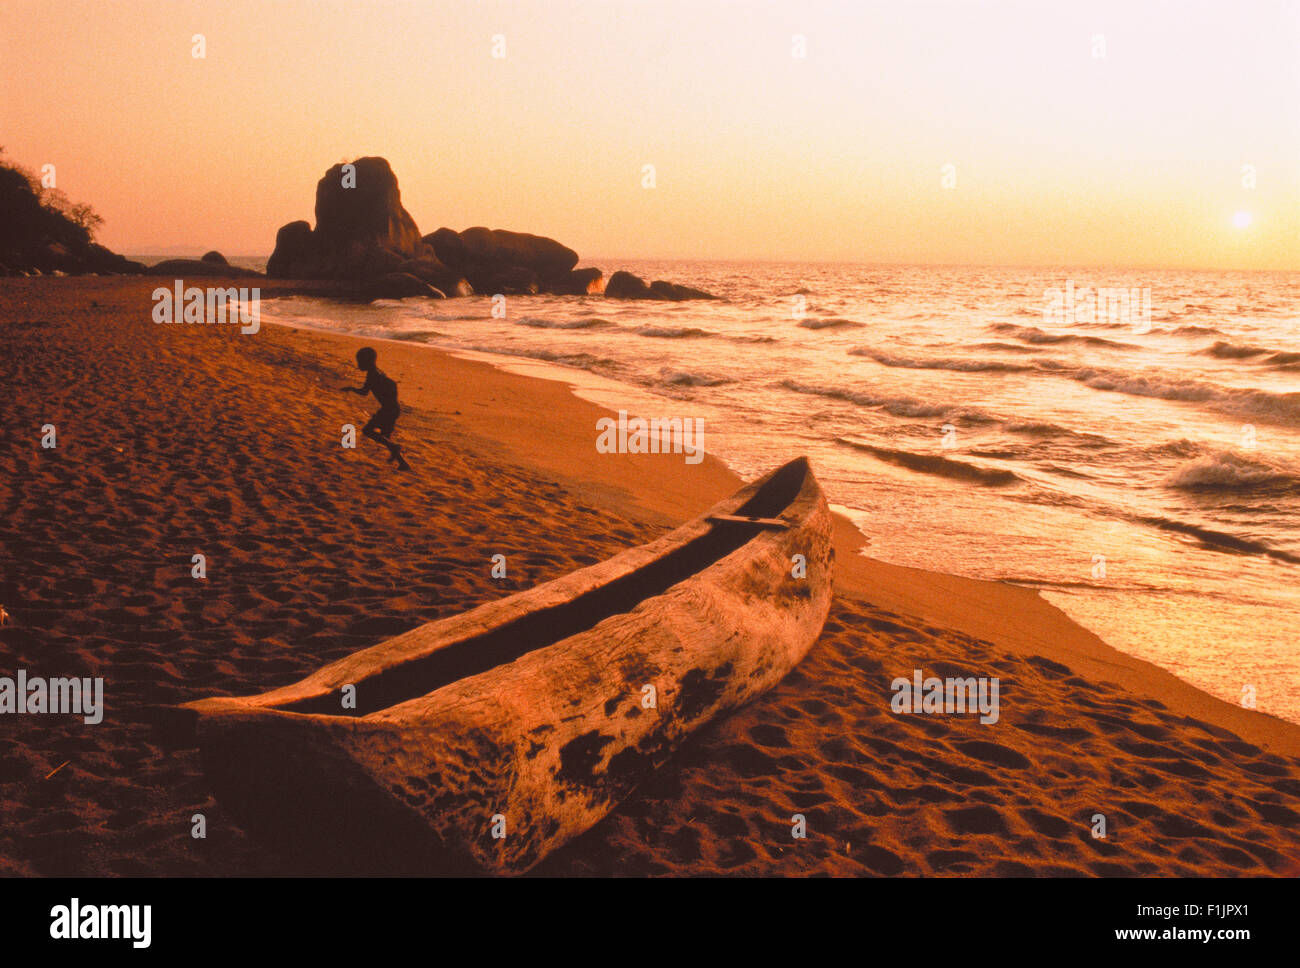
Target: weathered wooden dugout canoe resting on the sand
[(484, 741)]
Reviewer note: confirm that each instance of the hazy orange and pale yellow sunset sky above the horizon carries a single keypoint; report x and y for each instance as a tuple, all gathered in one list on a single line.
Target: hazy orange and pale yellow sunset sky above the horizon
[(1060, 157)]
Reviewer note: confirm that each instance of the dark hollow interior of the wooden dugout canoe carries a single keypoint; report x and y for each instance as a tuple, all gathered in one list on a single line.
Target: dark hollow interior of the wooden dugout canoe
[(549, 626)]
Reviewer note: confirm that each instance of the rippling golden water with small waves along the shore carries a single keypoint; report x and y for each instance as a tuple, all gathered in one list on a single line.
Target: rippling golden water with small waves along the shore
[(1141, 470)]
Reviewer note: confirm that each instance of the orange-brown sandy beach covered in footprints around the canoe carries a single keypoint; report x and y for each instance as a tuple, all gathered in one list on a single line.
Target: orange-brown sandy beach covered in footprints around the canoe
[(175, 441)]
